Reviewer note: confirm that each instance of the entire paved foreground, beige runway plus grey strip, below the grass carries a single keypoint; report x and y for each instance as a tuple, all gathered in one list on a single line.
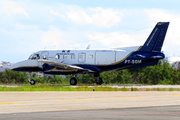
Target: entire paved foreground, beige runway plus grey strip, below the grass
[(89, 105)]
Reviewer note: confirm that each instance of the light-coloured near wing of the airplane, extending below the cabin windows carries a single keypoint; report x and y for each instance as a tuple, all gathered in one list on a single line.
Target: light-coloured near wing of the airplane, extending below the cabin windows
[(61, 65)]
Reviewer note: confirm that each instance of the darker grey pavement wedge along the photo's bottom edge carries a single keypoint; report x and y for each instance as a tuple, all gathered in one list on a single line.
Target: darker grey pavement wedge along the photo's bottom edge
[(144, 113)]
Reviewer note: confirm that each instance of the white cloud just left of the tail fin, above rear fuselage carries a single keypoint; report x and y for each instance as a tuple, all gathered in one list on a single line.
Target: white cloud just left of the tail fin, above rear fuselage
[(115, 39)]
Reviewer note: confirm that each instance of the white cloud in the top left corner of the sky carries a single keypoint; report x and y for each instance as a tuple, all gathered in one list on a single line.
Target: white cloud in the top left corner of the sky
[(10, 7)]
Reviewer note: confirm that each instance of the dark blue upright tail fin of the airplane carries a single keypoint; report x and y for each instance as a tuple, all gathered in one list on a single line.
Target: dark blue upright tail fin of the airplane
[(156, 38)]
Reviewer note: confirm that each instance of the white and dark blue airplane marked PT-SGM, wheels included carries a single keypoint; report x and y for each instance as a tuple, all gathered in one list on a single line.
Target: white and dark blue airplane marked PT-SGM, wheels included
[(63, 62)]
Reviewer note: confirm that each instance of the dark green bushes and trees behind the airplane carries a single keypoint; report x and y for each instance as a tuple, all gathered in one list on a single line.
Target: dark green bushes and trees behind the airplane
[(162, 73)]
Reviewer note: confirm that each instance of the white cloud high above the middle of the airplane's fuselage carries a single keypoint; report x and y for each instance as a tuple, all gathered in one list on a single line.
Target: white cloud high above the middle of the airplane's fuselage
[(100, 17)]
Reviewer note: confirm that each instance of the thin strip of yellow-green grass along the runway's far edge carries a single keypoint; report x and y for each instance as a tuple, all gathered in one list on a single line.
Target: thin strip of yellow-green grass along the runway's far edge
[(28, 88)]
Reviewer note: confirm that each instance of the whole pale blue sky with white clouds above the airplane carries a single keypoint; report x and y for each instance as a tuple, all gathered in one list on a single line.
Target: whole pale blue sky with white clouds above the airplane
[(27, 26)]
